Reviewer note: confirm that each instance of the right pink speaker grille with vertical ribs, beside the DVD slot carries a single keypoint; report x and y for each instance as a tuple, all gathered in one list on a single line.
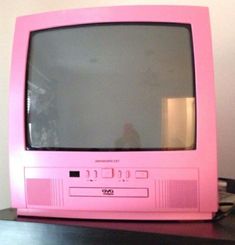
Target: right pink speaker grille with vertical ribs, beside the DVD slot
[(176, 194)]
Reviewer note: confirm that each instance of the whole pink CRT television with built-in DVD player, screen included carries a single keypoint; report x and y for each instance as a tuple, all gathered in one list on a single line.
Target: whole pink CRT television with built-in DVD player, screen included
[(112, 114)]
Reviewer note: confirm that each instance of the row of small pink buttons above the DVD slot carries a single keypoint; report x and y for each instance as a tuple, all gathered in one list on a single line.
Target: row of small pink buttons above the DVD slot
[(108, 173)]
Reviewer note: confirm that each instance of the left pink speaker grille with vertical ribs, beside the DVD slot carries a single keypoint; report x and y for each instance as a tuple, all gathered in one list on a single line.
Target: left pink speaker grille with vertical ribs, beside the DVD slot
[(44, 192)]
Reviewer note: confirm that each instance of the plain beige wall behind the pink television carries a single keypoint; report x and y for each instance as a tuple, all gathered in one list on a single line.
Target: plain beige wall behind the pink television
[(223, 34)]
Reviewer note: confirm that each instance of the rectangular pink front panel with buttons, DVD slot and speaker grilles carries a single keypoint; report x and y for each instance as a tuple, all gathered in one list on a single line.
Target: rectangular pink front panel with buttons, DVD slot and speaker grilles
[(108, 188)]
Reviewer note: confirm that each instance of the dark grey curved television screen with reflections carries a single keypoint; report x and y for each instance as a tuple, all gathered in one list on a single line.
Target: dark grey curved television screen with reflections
[(111, 87)]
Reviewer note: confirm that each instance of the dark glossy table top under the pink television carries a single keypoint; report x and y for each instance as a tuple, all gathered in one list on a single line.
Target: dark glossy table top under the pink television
[(25, 230)]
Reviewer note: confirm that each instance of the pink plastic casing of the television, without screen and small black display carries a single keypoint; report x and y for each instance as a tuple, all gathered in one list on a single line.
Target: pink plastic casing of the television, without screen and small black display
[(156, 185)]
